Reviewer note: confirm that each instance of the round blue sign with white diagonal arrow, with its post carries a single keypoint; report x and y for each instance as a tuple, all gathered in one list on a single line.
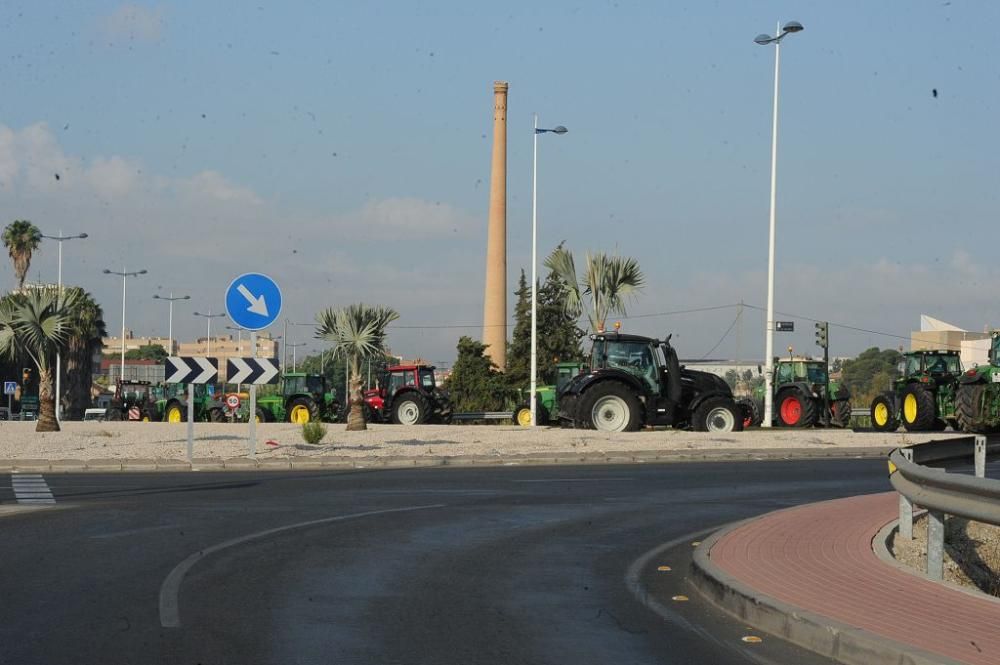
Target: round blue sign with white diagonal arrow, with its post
[(253, 302)]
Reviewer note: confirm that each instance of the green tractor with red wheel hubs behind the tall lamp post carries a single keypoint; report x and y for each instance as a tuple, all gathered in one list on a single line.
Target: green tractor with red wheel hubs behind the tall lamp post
[(804, 396)]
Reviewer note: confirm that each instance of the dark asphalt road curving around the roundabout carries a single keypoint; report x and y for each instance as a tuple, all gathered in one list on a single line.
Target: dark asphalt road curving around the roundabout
[(500, 566)]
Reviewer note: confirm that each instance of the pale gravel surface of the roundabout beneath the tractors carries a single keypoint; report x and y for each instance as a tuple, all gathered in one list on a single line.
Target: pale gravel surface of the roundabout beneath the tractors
[(90, 440)]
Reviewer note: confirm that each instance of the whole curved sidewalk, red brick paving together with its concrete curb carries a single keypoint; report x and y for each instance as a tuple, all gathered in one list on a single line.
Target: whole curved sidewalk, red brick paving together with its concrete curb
[(810, 574)]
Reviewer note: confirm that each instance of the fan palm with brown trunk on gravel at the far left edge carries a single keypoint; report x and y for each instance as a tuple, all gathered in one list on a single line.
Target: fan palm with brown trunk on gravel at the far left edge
[(35, 324)]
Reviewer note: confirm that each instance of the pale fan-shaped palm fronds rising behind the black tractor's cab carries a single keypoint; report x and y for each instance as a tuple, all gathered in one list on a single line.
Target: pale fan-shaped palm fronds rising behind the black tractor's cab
[(608, 280)]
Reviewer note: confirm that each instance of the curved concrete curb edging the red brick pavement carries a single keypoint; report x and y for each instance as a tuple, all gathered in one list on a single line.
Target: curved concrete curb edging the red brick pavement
[(841, 642)]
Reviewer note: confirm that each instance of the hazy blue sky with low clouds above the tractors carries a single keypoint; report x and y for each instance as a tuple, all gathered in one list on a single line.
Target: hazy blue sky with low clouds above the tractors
[(344, 148)]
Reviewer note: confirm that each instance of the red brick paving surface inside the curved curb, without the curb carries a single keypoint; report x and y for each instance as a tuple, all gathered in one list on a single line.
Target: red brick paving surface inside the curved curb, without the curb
[(819, 558)]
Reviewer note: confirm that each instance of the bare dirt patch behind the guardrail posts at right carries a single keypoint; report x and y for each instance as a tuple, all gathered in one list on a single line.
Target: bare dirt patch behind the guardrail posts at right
[(971, 557)]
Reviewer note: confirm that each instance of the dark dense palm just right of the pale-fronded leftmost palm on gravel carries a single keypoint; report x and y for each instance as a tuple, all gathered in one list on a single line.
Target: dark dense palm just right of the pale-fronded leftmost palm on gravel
[(86, 323)]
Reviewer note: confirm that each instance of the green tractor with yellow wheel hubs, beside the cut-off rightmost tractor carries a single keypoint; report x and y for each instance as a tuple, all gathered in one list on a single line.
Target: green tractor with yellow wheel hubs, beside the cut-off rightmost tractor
[(924, 397)]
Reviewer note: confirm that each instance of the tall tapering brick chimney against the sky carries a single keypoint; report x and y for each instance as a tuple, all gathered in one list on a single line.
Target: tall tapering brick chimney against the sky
[(495, 300)]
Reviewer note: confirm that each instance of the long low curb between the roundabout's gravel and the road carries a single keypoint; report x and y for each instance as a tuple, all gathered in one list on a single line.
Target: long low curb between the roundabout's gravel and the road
[(331, 462)]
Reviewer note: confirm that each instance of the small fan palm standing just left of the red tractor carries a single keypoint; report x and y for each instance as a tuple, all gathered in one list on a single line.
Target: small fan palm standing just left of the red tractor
[(357, 333)]
